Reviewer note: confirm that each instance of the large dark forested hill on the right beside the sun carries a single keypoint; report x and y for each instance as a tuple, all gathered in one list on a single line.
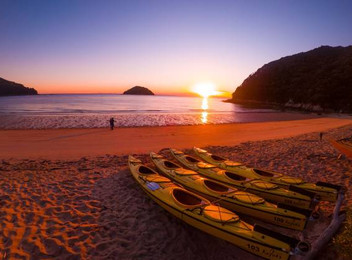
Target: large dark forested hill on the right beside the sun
[(320, 77)]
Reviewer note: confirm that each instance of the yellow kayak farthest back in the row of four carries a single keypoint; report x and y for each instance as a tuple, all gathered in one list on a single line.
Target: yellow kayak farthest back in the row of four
[(325, 191)]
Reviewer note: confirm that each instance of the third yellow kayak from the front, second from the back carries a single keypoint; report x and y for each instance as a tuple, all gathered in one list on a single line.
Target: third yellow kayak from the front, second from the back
[(266, 190)]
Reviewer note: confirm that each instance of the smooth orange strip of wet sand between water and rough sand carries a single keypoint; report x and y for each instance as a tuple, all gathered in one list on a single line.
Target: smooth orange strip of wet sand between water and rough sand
[(77, 143)]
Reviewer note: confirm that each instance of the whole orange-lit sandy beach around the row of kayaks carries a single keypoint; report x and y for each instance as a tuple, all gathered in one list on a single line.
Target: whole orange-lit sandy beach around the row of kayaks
[(67, 194)]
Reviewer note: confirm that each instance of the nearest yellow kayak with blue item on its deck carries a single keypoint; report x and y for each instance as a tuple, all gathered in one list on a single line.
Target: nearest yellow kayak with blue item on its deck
[(212, 219)]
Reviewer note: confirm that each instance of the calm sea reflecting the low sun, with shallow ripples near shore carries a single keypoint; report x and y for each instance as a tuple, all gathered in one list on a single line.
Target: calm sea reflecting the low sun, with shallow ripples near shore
[(90, 111)]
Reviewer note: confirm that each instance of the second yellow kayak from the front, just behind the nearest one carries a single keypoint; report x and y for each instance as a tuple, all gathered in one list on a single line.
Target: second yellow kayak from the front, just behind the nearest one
[(230, 197)]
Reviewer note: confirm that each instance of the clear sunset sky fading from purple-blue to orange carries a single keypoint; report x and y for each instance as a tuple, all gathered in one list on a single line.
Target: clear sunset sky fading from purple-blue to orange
[(168, 46)]
